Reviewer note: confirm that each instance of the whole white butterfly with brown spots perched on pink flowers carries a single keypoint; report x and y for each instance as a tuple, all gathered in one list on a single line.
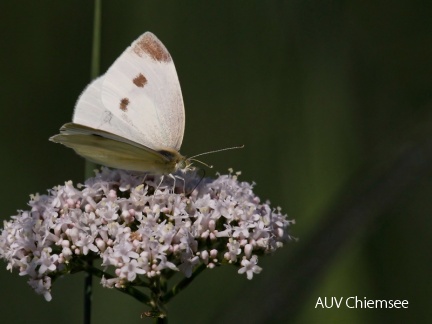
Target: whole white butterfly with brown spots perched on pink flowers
[(133, 116)]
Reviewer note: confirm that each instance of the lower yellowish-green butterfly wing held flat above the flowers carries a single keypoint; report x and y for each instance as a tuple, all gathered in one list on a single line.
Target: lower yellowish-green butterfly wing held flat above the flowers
[(114, 151)]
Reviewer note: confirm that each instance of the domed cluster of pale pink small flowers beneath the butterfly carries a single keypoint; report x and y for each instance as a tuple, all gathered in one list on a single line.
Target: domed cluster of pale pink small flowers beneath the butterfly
[(142, 225)]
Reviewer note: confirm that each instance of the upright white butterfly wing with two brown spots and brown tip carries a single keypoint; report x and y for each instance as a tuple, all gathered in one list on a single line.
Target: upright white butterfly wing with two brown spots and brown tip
[(139, 97)]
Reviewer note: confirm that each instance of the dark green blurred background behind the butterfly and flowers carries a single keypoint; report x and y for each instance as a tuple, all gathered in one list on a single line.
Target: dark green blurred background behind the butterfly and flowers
[(319, 92)]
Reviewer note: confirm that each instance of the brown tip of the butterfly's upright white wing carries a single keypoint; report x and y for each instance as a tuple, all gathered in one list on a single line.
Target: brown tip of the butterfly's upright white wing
[(149, 44)]
